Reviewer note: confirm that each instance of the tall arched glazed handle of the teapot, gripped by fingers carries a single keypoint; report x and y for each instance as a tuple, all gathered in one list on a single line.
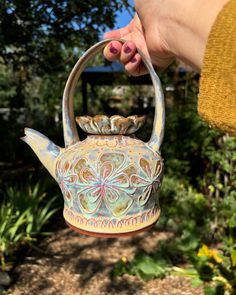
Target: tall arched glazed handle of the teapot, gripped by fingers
[(69, 125)]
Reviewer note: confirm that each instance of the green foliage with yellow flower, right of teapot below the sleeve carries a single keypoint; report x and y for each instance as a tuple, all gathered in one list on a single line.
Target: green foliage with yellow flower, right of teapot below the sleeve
[(197, 198)]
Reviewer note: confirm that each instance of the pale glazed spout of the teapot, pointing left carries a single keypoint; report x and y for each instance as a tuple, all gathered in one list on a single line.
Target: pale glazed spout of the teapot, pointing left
[(44, 148)]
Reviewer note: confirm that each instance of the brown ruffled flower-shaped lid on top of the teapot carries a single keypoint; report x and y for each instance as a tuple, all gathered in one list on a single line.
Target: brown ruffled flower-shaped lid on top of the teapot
[(102, 124)]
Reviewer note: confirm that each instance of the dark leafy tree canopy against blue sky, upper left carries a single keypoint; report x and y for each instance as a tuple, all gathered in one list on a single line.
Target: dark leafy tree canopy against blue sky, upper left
[(36, 33)]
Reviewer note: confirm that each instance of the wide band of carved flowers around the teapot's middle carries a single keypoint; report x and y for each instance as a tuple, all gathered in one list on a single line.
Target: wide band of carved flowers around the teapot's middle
[(109, 183)]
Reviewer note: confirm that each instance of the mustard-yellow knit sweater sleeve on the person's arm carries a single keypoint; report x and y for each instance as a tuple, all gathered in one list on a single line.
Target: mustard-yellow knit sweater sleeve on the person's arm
[(217, 94)]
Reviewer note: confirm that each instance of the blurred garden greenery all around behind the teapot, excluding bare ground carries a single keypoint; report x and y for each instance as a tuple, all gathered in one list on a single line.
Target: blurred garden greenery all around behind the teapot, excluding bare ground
[(40, 43)]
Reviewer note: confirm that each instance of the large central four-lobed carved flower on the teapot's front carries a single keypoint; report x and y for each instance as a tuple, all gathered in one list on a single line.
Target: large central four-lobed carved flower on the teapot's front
[(106, 182)]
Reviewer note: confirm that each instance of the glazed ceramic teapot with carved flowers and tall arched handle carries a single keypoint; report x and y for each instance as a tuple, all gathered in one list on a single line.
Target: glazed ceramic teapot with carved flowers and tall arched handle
[(110, 180)]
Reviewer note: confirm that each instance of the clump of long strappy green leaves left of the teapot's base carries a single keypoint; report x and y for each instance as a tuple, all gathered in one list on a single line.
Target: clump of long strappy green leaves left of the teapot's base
[(23, 213)]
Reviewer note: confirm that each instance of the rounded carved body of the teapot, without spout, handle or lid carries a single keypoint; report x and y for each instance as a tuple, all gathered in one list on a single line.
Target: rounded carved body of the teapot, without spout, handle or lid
[(110, 185)]
